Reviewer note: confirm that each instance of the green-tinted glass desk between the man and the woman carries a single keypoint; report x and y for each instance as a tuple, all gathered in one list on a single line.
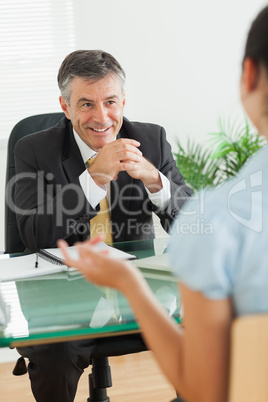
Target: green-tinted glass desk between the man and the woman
[(66, 307)]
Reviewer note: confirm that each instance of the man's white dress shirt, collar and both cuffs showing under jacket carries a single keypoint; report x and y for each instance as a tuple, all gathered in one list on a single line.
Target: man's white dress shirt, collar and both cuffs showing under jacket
[(94, 193)]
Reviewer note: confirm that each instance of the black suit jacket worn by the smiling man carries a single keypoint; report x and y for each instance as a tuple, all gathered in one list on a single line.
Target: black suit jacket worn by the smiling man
[(50, 201)]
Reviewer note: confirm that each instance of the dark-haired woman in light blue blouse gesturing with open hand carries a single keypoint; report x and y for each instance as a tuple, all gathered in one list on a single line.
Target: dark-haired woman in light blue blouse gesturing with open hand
[(222, 271)]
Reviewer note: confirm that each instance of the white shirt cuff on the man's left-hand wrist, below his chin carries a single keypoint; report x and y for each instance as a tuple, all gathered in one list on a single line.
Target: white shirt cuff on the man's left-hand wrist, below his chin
[(93, 193)]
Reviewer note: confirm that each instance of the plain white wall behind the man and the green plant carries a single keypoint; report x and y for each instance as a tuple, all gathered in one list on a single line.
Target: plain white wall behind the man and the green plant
[(182, 60)]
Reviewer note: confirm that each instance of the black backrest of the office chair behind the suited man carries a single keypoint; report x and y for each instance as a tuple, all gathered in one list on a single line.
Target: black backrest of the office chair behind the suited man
[(26, 126)]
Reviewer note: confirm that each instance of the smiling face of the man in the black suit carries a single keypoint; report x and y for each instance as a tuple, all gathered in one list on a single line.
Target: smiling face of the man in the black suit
[(95, 110)]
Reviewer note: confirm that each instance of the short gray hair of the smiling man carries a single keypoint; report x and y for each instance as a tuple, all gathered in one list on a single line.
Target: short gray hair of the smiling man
[(92, 65)]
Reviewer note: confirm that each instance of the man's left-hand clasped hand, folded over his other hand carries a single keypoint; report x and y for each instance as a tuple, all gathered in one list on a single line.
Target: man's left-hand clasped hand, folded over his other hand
[(115, 157)]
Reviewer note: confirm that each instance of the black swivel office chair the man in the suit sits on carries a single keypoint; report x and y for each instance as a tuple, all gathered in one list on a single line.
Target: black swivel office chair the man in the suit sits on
[(100, 377)]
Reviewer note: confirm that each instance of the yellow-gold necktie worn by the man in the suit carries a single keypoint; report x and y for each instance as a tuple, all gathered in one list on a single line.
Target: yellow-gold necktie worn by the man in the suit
[(101, 223)]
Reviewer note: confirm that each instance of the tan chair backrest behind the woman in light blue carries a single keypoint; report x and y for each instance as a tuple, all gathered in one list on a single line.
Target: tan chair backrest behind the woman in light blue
[(249, 359)]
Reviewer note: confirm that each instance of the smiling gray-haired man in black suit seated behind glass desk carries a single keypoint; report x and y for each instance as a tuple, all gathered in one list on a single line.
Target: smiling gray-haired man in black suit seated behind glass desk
[(93, 172)]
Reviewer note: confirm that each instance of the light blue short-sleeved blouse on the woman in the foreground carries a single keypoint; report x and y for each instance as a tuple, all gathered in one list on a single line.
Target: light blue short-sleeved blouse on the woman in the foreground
[(219, 243)]
